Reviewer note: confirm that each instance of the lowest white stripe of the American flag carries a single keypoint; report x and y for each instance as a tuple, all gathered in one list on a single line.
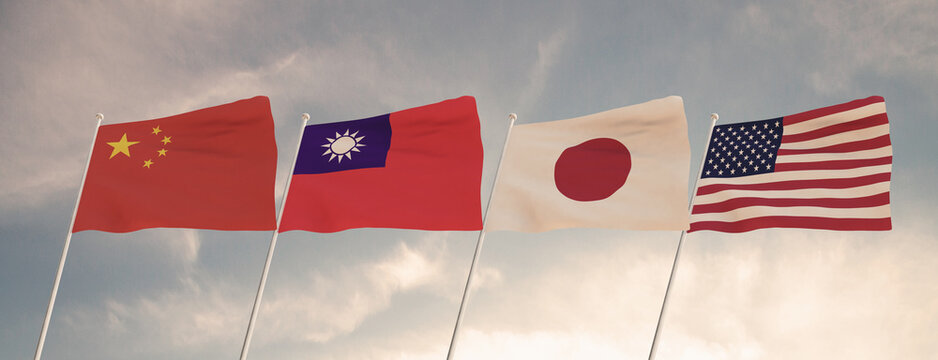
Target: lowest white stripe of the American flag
[(740, 214)]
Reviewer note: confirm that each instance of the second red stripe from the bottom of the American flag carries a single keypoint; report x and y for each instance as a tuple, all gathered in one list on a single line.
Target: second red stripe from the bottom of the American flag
[(736, 203)]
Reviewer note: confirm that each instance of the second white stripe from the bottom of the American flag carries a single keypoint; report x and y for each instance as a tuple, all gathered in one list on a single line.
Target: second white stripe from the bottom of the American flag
[(855, 192)]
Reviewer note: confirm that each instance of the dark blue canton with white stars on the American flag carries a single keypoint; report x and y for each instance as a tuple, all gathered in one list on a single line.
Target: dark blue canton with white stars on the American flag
[(742, 149)]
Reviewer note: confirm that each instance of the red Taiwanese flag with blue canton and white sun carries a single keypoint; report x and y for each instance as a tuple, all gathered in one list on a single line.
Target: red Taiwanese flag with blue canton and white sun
[(419, 168)]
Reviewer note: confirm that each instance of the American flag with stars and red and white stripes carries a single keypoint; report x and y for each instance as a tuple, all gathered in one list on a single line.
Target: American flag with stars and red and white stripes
[(822, 169)]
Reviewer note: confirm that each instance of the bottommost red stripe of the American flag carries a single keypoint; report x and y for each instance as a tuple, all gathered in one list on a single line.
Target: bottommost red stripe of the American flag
[(798, 222)]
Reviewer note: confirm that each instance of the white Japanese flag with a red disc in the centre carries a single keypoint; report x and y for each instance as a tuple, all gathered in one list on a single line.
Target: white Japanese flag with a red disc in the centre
[(625, 168)]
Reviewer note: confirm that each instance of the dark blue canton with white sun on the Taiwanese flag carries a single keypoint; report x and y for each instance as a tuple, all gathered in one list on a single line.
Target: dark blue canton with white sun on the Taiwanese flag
[(365, 141)]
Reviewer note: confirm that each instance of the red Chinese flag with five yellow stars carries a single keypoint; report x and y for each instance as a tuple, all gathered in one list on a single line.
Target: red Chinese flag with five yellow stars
[(212, 168)]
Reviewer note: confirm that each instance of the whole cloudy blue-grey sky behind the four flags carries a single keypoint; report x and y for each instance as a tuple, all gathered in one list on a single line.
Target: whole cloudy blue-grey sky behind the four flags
[(394, 294)]
